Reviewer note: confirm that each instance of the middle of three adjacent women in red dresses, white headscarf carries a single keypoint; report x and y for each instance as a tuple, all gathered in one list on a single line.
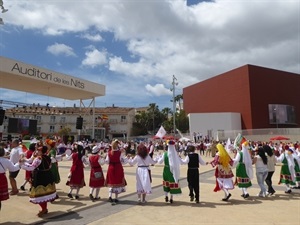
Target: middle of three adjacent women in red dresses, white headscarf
[(96, 175)]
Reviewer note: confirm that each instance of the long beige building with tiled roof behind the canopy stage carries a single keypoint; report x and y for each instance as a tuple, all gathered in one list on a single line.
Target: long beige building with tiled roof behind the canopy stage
[(109, 122)]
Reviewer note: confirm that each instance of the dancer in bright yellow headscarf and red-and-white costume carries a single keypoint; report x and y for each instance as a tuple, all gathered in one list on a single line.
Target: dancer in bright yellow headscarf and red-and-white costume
[(223, 173)]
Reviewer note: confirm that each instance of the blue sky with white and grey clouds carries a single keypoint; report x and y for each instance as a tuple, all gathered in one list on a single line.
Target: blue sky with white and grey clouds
[(134, 47)]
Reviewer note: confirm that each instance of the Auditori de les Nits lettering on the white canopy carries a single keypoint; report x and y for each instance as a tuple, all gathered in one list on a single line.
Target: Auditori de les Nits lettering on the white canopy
[(40, 74)]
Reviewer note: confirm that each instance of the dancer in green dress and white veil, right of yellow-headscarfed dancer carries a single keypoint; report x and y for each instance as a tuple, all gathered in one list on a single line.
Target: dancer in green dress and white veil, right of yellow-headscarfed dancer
[(244, 168)]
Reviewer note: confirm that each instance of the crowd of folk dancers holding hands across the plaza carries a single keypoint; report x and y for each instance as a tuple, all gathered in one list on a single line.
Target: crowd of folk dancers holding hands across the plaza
[(40, 163)]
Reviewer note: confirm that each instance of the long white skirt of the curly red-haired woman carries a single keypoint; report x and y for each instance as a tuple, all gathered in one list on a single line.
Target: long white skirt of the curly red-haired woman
[(143, 184)]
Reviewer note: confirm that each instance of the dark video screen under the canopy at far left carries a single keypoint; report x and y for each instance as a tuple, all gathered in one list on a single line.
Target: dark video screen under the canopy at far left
[(17, 125)]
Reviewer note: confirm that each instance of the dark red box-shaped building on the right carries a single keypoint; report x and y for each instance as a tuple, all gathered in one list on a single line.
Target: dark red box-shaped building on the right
[(247, 90)]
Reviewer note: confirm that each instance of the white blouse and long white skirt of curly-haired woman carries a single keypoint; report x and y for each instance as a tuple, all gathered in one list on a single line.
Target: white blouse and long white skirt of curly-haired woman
[(143, 182)]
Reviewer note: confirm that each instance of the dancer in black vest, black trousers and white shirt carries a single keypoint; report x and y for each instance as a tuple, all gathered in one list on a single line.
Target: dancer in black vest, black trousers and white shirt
[(193, 160)]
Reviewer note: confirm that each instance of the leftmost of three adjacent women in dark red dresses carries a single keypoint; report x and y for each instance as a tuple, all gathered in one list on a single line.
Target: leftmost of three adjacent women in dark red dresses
[(76, 175)]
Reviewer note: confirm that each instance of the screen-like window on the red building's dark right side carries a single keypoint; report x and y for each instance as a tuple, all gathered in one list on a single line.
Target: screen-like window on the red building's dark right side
[(282, 114)]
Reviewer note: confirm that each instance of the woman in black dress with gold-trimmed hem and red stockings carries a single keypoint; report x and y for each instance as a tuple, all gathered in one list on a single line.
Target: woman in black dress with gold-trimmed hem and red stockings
[(43, 186)]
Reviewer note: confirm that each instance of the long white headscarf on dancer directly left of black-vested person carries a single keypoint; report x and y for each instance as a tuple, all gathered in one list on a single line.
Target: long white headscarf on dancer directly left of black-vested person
[(174, 161)]
